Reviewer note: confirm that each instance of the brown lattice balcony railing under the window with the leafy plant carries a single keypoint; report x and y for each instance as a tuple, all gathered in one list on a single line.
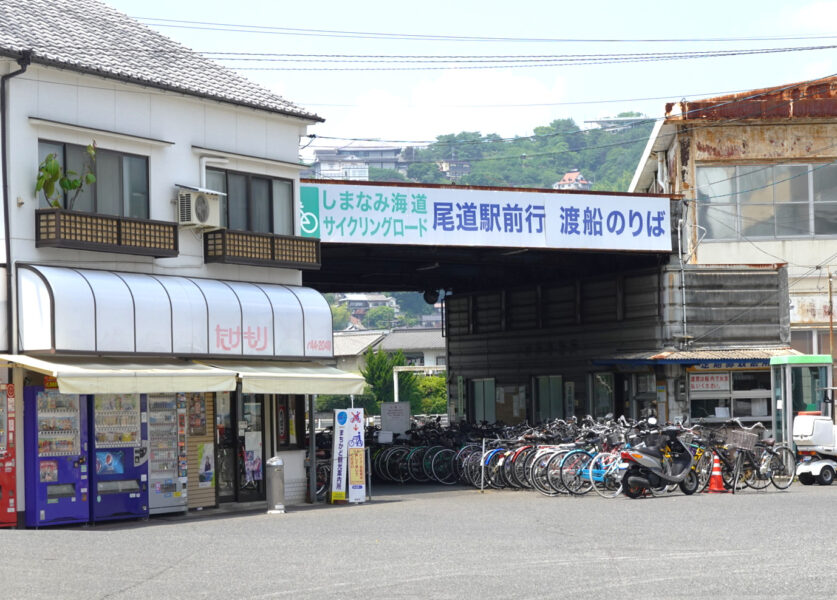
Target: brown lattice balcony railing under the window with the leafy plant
[(58, 228)]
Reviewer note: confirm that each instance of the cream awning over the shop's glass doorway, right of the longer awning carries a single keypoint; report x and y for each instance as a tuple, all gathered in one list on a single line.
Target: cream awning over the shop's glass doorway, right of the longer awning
[(293, 378)]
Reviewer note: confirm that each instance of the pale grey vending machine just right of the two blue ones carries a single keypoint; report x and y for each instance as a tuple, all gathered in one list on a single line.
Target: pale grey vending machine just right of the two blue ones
[(167, 461)]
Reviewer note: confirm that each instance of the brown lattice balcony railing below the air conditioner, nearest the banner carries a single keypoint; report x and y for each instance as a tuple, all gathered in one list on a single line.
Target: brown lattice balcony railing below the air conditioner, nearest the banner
[(261, 249)]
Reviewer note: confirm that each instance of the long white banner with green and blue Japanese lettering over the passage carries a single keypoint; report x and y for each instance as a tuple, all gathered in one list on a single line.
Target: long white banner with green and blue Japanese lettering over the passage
[(432, 216)]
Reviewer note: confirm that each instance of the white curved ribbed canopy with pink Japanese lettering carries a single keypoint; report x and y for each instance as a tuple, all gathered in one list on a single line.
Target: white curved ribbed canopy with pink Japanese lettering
[(63, 310)]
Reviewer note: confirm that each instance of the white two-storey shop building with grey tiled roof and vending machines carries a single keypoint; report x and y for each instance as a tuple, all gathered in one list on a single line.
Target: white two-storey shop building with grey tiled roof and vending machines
[(187, 246)]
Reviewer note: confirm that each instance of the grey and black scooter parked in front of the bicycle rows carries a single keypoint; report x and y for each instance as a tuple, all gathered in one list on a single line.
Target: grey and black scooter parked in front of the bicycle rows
[(659, 463)]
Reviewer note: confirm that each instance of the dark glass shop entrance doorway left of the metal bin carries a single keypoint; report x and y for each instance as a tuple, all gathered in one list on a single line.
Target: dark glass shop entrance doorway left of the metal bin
[(240, 438)]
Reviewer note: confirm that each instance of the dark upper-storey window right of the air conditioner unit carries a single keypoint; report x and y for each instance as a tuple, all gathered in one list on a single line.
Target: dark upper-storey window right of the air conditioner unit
[(253, 202)]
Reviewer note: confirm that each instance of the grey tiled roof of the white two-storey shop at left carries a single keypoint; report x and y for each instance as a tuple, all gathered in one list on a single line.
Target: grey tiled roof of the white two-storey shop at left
[(89, 36)]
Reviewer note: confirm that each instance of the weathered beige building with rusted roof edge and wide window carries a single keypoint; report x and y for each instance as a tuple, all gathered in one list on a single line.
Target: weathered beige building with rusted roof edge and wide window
[(758, 177)]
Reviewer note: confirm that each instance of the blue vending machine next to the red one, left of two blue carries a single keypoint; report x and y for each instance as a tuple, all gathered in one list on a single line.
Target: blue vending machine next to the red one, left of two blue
[(56, 460)]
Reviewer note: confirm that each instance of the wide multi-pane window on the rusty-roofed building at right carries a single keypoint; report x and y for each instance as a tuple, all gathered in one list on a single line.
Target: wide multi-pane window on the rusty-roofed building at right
[(767, 201)]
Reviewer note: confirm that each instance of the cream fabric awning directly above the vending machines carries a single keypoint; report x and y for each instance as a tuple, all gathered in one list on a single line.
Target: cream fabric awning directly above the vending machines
[(105, 376)]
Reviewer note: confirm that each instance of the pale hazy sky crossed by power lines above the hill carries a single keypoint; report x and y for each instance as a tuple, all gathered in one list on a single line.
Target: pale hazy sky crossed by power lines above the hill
[(418, 105)]
